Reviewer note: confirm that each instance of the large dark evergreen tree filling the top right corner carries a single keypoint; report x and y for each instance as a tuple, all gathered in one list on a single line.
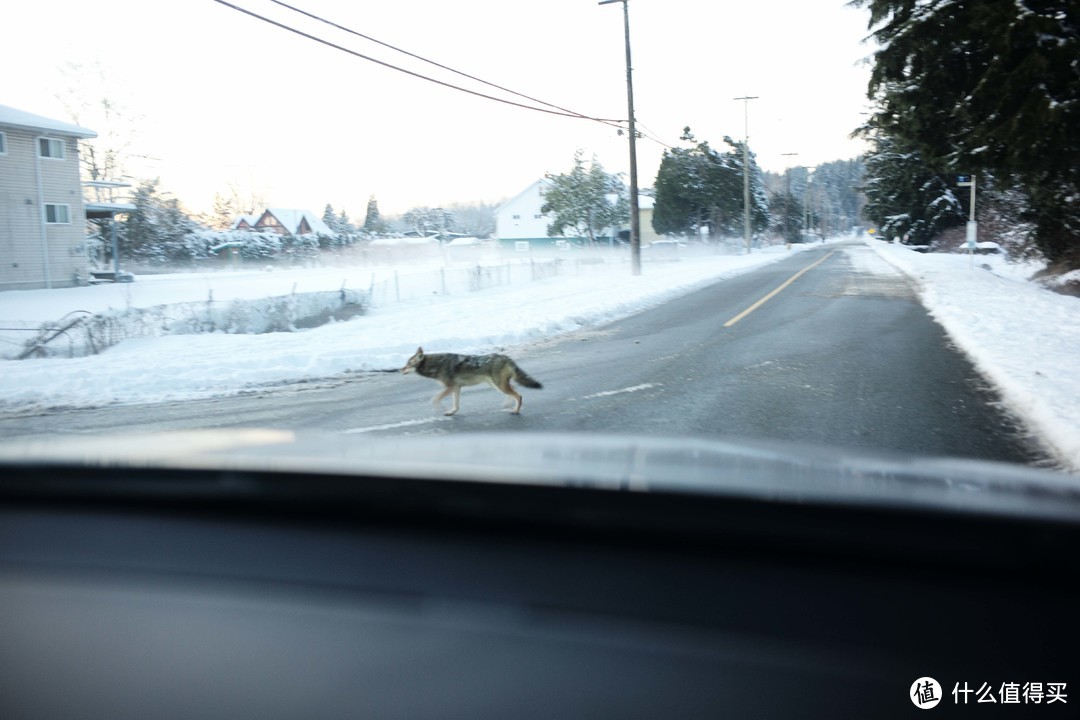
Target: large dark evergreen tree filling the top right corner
[(989, 88)]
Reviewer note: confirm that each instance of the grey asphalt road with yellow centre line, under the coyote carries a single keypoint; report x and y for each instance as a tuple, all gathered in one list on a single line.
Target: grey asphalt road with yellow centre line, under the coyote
[(842, 354)]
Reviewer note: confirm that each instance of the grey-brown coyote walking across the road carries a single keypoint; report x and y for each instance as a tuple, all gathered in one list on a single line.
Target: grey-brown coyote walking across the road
[(456, 372)]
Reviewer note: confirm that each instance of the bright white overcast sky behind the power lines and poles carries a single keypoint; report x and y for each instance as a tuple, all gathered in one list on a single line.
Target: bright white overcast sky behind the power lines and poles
[(211, 98)]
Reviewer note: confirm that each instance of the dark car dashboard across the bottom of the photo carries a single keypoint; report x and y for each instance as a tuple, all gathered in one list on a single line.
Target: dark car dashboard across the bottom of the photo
[(143, 591)]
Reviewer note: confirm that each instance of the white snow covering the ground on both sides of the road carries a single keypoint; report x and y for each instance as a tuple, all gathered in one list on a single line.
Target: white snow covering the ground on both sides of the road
[(1023, 338)]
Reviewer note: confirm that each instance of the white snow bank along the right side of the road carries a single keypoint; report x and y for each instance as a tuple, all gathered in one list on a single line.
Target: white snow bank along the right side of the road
[(1022, 337)]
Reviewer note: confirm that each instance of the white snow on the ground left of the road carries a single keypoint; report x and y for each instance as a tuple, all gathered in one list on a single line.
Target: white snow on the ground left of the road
[(199, 366)]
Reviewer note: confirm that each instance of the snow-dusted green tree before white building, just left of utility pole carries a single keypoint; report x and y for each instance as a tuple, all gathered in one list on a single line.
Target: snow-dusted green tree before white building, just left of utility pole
[(586, 201)]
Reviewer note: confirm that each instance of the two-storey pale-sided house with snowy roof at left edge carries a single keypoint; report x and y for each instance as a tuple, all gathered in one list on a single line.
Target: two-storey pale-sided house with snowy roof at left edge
[(43, 212)]
